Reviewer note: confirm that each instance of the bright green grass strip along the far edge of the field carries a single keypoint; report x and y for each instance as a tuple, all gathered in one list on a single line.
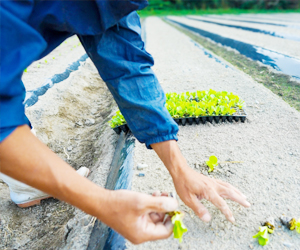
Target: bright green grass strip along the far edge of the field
[(152, 12)]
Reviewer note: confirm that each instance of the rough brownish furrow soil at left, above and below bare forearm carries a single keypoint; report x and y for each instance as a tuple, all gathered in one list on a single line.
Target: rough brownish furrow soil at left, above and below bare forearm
[(71, 119)]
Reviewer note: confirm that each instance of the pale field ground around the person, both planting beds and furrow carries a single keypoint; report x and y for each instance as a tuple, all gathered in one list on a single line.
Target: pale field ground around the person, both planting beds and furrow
[(71, 118)]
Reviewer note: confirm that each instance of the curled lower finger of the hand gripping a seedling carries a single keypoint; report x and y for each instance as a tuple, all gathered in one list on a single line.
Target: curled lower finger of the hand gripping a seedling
[(160, 230)]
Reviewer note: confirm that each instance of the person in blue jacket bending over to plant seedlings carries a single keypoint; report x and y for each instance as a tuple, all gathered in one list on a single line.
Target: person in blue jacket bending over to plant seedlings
[(110, 32)]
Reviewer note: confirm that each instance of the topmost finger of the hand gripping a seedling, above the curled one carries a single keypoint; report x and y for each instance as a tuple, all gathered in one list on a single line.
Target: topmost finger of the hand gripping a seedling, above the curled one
[(161, 204)]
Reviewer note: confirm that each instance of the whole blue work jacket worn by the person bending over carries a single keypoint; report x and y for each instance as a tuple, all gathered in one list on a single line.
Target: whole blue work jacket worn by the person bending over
[(110, 32)]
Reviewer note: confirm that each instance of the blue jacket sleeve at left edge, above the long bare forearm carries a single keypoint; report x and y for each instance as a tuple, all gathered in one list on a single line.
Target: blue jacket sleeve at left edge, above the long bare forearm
[(20, 44)]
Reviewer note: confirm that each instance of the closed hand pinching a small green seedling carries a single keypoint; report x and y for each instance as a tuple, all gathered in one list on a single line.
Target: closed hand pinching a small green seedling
[(137, 216)]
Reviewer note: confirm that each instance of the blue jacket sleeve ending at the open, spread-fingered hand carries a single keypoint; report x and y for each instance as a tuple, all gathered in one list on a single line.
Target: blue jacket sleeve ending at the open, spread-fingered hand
[(125, 66)]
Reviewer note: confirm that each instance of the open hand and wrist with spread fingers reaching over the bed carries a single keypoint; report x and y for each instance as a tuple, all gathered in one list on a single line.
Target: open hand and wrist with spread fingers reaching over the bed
[(192, 186)]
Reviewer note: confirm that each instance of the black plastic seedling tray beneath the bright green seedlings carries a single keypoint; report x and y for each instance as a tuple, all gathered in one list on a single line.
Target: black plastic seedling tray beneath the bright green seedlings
[(239, 115)]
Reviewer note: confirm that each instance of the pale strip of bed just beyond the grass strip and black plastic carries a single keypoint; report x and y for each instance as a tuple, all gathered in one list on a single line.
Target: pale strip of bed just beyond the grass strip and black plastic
[(281, 45)]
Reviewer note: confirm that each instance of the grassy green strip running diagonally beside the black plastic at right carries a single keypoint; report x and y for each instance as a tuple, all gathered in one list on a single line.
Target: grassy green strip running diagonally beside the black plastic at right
[(279, 84)]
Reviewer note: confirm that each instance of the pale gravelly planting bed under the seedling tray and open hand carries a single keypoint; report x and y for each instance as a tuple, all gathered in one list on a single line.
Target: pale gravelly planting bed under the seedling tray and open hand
[(267, 146)]
